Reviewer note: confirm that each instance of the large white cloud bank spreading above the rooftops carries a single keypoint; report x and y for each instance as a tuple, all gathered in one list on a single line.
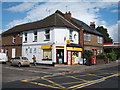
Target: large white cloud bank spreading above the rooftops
[(84, 11)]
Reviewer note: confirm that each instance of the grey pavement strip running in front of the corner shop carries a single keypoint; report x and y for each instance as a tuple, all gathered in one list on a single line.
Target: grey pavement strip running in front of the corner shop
[(60, 69)]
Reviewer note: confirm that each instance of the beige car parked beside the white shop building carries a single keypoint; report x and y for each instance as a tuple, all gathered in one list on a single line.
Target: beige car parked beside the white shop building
[(20, 61)]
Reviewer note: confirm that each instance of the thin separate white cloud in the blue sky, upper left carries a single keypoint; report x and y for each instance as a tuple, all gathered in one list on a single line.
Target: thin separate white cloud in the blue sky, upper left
[(22, 7)]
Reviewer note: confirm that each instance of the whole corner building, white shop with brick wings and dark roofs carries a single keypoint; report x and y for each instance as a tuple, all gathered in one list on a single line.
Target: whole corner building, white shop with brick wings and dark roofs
[(56, 39)]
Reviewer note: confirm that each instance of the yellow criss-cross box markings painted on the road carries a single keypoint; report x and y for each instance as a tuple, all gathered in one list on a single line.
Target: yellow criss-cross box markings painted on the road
[(56, 85)]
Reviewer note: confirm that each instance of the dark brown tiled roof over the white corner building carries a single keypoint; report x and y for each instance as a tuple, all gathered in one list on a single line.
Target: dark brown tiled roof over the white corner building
[(54, 20)]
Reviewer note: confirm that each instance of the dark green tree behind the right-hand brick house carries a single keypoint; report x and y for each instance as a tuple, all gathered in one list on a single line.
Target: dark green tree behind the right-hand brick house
[(106, 36)]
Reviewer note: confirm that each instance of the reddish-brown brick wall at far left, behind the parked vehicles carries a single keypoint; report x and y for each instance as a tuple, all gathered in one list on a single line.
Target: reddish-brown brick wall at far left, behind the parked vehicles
[(7, 44)]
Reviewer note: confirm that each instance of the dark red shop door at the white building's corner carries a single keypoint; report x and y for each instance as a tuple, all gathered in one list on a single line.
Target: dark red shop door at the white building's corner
[(59, 56)]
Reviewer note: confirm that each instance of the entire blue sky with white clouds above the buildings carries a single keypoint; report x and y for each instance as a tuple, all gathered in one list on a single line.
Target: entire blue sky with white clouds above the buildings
[(103, 12)]
